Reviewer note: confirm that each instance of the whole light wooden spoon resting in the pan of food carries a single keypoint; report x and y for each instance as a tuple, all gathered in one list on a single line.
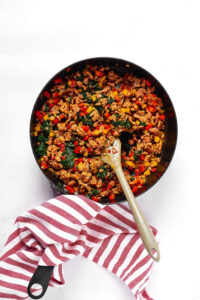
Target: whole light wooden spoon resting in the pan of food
[(112, 156)]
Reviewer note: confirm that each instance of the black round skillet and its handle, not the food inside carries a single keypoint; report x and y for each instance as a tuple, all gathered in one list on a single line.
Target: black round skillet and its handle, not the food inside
[(43, 274)]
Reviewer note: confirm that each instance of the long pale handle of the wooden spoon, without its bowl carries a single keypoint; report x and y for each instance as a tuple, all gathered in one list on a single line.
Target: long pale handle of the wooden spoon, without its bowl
[(142, 226)]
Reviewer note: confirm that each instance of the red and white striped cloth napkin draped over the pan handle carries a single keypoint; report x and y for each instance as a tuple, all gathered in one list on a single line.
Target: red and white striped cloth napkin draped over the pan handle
[(68, 226)]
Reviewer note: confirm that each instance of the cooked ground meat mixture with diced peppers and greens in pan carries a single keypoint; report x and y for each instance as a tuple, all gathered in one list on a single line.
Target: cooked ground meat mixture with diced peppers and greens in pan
[(85, 111)]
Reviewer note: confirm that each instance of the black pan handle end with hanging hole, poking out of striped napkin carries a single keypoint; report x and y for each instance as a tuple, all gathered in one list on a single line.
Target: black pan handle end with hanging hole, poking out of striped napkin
[(42, 277)]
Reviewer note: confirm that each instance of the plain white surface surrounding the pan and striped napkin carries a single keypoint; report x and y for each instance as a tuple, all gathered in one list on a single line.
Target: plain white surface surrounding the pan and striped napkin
[(37, 39)]
